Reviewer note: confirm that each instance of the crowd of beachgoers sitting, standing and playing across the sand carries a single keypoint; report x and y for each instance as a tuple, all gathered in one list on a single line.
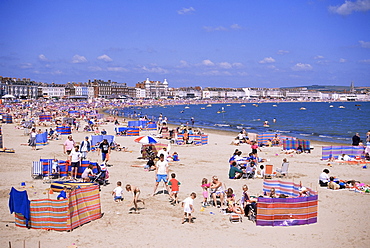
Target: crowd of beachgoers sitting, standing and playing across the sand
[(214, 192)]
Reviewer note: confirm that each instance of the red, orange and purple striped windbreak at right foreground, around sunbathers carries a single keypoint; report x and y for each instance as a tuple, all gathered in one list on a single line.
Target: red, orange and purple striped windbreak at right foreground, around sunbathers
[(291, 211)]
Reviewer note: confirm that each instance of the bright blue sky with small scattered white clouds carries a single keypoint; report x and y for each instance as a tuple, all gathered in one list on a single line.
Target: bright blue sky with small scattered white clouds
[(190, 43)]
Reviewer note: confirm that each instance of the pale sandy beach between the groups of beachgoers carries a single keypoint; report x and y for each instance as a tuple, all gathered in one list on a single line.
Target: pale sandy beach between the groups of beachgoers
[(342, 218)]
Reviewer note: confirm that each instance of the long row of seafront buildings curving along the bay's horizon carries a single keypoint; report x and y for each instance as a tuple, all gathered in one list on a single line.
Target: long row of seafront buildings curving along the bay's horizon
[(27, 89)]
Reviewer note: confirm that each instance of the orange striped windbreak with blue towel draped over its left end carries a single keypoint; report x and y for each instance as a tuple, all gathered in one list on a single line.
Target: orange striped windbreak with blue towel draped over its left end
[(81, 206)]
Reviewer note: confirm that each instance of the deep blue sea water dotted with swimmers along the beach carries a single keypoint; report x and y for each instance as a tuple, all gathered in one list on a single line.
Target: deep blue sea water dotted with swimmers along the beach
[(320, 121)]
